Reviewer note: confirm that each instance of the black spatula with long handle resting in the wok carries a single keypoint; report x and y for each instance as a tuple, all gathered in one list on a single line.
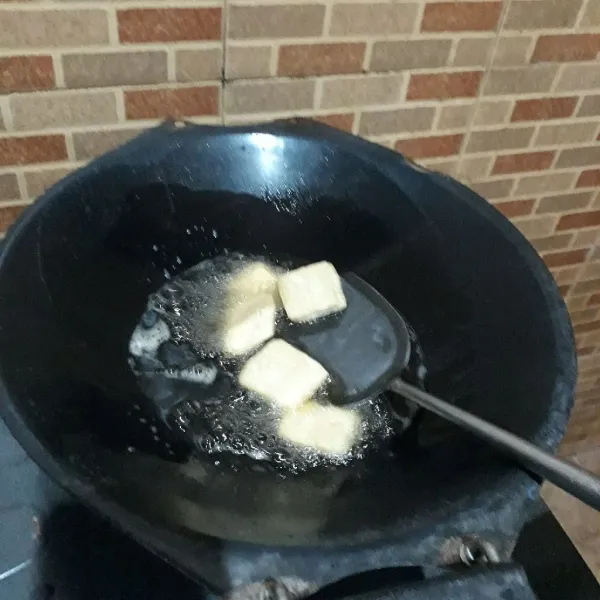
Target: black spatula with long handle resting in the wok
[(366, 348)]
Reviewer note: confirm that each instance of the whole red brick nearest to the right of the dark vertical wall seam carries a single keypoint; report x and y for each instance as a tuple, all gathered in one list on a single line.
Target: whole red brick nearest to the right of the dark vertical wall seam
[(299, 60)]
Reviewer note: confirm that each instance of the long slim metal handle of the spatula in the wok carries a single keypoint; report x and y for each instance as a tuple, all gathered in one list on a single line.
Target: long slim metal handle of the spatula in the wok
[(576, 481)]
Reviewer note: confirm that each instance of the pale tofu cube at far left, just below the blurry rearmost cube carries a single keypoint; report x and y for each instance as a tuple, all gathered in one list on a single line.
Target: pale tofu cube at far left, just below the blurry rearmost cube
[(248, 323)]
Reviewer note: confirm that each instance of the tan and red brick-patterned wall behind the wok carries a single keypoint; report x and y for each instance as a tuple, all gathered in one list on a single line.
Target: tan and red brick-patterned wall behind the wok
[(504, 95)]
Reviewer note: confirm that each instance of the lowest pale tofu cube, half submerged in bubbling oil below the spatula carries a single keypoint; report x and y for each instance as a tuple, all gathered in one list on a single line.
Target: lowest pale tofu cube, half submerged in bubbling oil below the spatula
[(327, 429)]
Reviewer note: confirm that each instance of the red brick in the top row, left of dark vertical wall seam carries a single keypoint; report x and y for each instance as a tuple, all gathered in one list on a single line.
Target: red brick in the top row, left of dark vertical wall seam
[(141, 25)]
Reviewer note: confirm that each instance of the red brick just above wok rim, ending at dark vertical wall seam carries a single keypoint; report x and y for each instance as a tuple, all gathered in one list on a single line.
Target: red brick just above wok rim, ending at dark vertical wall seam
[(184, 102)]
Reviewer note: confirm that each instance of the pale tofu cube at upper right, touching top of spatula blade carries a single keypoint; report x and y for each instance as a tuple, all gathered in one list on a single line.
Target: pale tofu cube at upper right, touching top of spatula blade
[(311, 292)]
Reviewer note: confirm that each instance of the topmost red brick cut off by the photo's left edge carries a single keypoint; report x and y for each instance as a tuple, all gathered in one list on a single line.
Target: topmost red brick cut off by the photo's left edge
[(18, 73)]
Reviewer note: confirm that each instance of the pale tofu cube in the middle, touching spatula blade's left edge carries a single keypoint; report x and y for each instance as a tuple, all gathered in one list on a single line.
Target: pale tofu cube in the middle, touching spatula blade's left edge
[(282, 374)]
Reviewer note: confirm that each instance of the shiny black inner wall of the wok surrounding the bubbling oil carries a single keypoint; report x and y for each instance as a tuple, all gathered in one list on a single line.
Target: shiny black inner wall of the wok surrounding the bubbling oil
[(77, 273)]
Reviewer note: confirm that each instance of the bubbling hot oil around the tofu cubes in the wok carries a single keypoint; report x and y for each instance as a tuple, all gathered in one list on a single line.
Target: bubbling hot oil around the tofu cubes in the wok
[(195, 387)]
